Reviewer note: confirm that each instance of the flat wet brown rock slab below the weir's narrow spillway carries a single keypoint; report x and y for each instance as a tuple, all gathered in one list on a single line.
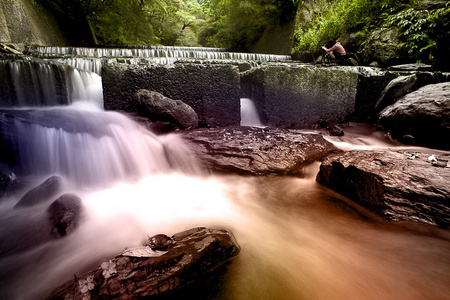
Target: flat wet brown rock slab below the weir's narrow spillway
[(258, 151)]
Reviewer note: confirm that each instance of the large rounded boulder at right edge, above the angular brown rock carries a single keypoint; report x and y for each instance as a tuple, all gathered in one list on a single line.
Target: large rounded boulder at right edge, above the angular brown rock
[(421, 117)]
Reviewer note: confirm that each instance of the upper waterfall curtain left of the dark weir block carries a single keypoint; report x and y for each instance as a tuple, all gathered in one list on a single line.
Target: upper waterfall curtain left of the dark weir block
[(46, 83)]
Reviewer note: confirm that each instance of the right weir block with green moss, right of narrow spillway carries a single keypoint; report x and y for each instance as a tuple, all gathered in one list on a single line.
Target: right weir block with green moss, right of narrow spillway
[(301, 96)]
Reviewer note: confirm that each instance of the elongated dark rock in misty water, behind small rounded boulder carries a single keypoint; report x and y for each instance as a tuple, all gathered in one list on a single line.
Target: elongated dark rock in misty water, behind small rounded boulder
[(42, 193)]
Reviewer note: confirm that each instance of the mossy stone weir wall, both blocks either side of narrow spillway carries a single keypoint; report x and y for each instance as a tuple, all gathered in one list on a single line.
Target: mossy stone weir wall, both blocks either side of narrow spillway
[(287, 95)]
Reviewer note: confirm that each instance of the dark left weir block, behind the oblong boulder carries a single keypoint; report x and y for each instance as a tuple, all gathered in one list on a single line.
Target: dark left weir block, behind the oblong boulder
[(211, 90)]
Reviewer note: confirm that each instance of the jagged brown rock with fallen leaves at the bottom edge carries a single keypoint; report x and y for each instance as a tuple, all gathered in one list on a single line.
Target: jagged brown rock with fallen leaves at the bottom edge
[(194, 253)]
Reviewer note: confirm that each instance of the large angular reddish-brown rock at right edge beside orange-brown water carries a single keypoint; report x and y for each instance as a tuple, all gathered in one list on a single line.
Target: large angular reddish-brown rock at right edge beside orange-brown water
[(395, 185)]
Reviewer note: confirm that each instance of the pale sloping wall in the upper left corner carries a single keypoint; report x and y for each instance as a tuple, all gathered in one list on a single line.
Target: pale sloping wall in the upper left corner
[(23, 22)]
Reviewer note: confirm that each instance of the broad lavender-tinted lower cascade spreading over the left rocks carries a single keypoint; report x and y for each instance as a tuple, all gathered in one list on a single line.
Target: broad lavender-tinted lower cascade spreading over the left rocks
[(87, 145)]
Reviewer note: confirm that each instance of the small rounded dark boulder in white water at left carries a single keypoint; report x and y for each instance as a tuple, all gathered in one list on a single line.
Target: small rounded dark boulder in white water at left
[(64, 214)]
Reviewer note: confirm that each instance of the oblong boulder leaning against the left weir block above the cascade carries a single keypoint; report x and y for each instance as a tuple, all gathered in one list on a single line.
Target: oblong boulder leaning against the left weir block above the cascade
[(157, 107)]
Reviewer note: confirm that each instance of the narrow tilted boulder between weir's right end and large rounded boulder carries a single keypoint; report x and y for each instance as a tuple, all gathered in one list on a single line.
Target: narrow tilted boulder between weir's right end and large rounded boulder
[(398, 87)]
